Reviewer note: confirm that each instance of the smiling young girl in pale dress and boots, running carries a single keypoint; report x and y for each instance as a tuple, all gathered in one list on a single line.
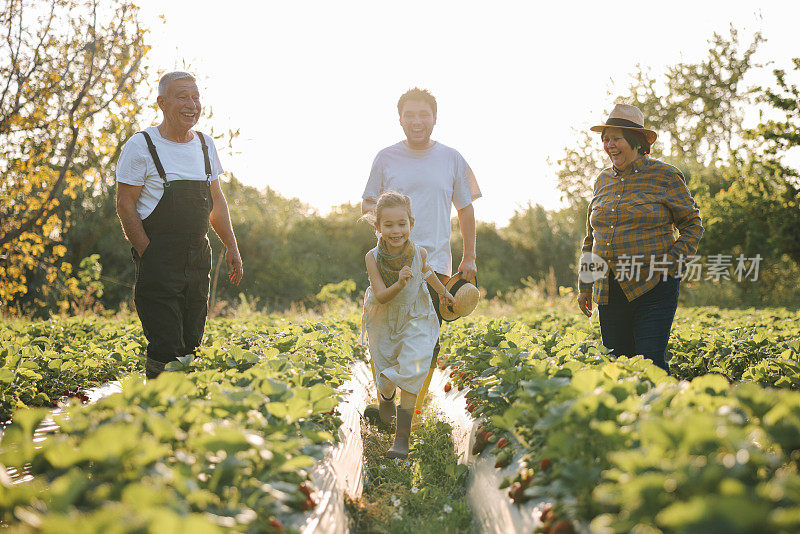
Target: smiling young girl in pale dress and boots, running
[(399, 318)]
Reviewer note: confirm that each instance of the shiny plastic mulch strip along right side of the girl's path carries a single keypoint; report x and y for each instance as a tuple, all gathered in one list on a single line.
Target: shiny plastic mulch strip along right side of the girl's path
[(492, 510)]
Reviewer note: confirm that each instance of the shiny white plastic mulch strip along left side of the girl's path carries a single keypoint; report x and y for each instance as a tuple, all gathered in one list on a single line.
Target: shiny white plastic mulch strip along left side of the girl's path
[(341, 471)]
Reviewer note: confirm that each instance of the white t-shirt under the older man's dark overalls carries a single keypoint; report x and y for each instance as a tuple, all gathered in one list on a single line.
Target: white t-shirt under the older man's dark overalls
[(181, 161)]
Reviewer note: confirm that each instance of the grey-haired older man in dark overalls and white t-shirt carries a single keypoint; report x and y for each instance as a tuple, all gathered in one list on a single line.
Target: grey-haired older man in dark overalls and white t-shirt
[(167, 192)]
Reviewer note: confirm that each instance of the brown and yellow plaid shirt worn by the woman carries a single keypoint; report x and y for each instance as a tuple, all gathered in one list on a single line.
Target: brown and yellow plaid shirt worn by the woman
[(630, 225)]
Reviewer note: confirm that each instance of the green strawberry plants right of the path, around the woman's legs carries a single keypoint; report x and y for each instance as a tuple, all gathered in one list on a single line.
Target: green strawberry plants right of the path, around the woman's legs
[(617, 444)]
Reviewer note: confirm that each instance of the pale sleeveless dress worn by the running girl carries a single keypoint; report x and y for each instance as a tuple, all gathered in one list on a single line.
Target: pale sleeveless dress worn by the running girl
[(402, 333)]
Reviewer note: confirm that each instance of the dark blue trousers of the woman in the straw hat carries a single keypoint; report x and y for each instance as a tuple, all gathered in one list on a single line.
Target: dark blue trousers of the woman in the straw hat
[(641, 326)]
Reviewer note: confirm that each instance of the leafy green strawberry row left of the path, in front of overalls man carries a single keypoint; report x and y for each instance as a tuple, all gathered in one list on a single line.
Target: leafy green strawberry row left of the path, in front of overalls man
[(223, 447)]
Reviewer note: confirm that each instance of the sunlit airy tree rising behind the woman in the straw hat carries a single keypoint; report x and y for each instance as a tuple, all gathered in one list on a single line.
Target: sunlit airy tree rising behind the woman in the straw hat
[(697, 108)]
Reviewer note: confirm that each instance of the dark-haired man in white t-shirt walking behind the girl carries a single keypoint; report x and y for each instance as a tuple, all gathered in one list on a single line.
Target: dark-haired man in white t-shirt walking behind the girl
[(435, 177)]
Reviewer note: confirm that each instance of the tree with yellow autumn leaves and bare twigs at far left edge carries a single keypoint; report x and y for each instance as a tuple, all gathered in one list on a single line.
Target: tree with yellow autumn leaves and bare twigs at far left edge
[(68, 75)]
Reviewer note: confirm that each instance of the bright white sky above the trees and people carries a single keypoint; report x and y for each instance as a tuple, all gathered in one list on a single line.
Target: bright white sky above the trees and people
[(313, 85)]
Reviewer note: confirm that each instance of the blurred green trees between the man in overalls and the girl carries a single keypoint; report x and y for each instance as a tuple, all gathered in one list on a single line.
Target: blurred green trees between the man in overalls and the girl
[(289, 251)]
